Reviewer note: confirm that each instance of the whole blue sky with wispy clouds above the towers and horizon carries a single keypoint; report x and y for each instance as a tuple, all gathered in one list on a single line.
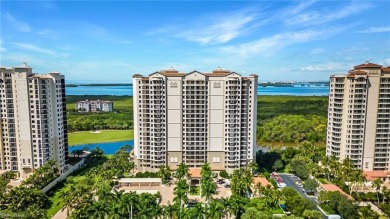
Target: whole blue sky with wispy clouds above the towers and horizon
[(111, 40)]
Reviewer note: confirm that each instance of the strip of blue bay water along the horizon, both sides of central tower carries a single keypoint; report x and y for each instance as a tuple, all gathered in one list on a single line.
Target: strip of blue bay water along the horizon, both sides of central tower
[(295, 90)]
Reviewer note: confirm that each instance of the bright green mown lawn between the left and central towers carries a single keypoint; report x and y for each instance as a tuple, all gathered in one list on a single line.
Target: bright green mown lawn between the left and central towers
[(86, 137)]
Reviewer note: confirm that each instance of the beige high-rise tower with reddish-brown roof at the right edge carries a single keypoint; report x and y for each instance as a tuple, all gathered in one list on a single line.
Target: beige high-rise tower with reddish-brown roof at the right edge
[(359, 117)]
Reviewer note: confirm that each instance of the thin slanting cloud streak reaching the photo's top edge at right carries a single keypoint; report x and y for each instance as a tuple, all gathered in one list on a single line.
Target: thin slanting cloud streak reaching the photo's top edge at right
[(322, 17)]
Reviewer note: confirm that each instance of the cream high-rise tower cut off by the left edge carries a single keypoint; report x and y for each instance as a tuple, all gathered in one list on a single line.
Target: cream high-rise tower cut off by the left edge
[(33, 120)]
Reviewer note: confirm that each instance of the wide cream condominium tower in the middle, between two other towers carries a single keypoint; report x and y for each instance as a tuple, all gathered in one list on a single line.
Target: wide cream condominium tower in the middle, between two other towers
[(194, 118)]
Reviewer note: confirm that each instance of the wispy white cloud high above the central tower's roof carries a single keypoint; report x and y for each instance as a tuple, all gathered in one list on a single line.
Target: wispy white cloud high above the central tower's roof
[(215, 29)]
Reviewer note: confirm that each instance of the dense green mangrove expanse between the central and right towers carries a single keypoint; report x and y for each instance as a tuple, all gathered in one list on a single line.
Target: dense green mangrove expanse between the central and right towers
[(291, 120)]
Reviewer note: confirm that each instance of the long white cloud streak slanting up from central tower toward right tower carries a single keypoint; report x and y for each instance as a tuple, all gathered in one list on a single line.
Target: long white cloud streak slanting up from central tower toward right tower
[(276, 42)]
